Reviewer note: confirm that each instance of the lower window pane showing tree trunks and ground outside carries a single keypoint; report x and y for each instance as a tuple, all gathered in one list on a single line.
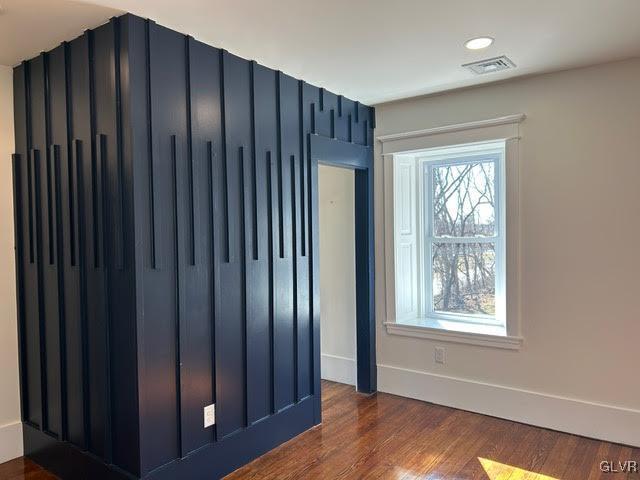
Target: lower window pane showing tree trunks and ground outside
[(464, 278)]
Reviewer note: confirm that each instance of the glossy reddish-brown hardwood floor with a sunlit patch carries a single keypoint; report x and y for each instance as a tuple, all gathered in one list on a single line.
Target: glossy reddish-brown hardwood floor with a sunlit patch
[(388, 437)]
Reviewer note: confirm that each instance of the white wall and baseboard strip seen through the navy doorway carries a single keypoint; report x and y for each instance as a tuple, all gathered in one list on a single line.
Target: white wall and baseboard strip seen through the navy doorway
[(337, 274)]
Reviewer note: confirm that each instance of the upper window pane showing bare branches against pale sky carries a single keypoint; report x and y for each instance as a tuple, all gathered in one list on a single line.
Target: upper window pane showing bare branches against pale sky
[(464, 200)]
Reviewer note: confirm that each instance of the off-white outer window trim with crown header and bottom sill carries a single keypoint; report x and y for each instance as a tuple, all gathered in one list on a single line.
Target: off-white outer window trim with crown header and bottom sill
[(492, 130)]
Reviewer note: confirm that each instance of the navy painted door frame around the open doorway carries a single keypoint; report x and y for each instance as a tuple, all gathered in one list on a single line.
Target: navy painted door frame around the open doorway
[(328, 151)]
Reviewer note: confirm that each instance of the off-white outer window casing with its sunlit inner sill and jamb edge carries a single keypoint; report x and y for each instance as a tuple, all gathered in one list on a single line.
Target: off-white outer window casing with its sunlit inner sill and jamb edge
[(393, 147)]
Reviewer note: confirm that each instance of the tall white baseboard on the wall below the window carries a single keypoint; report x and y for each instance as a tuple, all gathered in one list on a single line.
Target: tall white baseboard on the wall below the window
[(594, 420)]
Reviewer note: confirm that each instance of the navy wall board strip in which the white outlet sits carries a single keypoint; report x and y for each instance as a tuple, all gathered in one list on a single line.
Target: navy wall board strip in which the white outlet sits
[(196, 251)]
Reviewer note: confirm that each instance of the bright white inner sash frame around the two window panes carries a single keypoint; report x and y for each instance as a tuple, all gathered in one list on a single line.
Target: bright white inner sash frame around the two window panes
[(461, 155)]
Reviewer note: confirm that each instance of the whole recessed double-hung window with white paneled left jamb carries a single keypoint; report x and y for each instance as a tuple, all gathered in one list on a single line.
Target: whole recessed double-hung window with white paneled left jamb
[(449, 237)]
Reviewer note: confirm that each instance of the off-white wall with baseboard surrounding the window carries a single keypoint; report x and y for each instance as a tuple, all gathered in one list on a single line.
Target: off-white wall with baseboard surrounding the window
[(580, 264)]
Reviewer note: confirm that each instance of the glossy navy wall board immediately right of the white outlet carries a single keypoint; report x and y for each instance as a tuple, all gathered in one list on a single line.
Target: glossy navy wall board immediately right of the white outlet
[(231, 349)]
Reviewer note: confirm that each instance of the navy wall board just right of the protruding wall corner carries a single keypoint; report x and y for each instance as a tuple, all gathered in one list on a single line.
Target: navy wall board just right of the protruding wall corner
[(160, 388)]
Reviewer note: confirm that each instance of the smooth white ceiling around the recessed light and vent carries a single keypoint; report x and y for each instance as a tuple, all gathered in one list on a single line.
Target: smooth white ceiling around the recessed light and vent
[(368, 50)]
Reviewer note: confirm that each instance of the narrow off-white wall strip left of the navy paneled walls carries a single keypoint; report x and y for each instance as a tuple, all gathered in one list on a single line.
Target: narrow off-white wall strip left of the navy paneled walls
[(10, 426)]
